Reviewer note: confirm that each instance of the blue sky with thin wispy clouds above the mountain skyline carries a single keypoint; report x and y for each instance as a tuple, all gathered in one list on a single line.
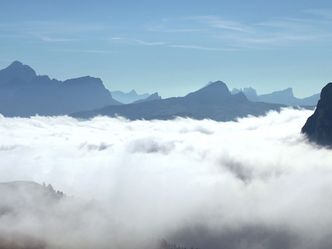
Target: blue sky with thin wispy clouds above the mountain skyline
[(173, 47)]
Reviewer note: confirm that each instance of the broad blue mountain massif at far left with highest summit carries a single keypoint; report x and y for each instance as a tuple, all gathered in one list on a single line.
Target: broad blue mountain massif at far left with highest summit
[(24, 93)]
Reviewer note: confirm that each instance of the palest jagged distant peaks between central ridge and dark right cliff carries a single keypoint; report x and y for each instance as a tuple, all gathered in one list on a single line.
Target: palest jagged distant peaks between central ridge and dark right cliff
[(284, 97)]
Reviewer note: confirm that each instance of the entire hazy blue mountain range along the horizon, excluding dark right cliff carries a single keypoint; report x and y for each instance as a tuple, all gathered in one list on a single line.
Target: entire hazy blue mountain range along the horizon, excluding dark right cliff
[(24, 93)]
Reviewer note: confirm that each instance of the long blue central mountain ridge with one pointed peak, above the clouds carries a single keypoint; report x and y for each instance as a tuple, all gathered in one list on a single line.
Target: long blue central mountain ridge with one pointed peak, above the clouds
[(213, 101)]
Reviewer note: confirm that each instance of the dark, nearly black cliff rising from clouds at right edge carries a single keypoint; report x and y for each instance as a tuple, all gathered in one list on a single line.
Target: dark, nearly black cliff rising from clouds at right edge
[(318, 127)]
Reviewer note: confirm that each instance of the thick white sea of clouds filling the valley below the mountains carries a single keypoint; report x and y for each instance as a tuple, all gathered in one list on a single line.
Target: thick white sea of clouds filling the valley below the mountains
[(250, 184)]
